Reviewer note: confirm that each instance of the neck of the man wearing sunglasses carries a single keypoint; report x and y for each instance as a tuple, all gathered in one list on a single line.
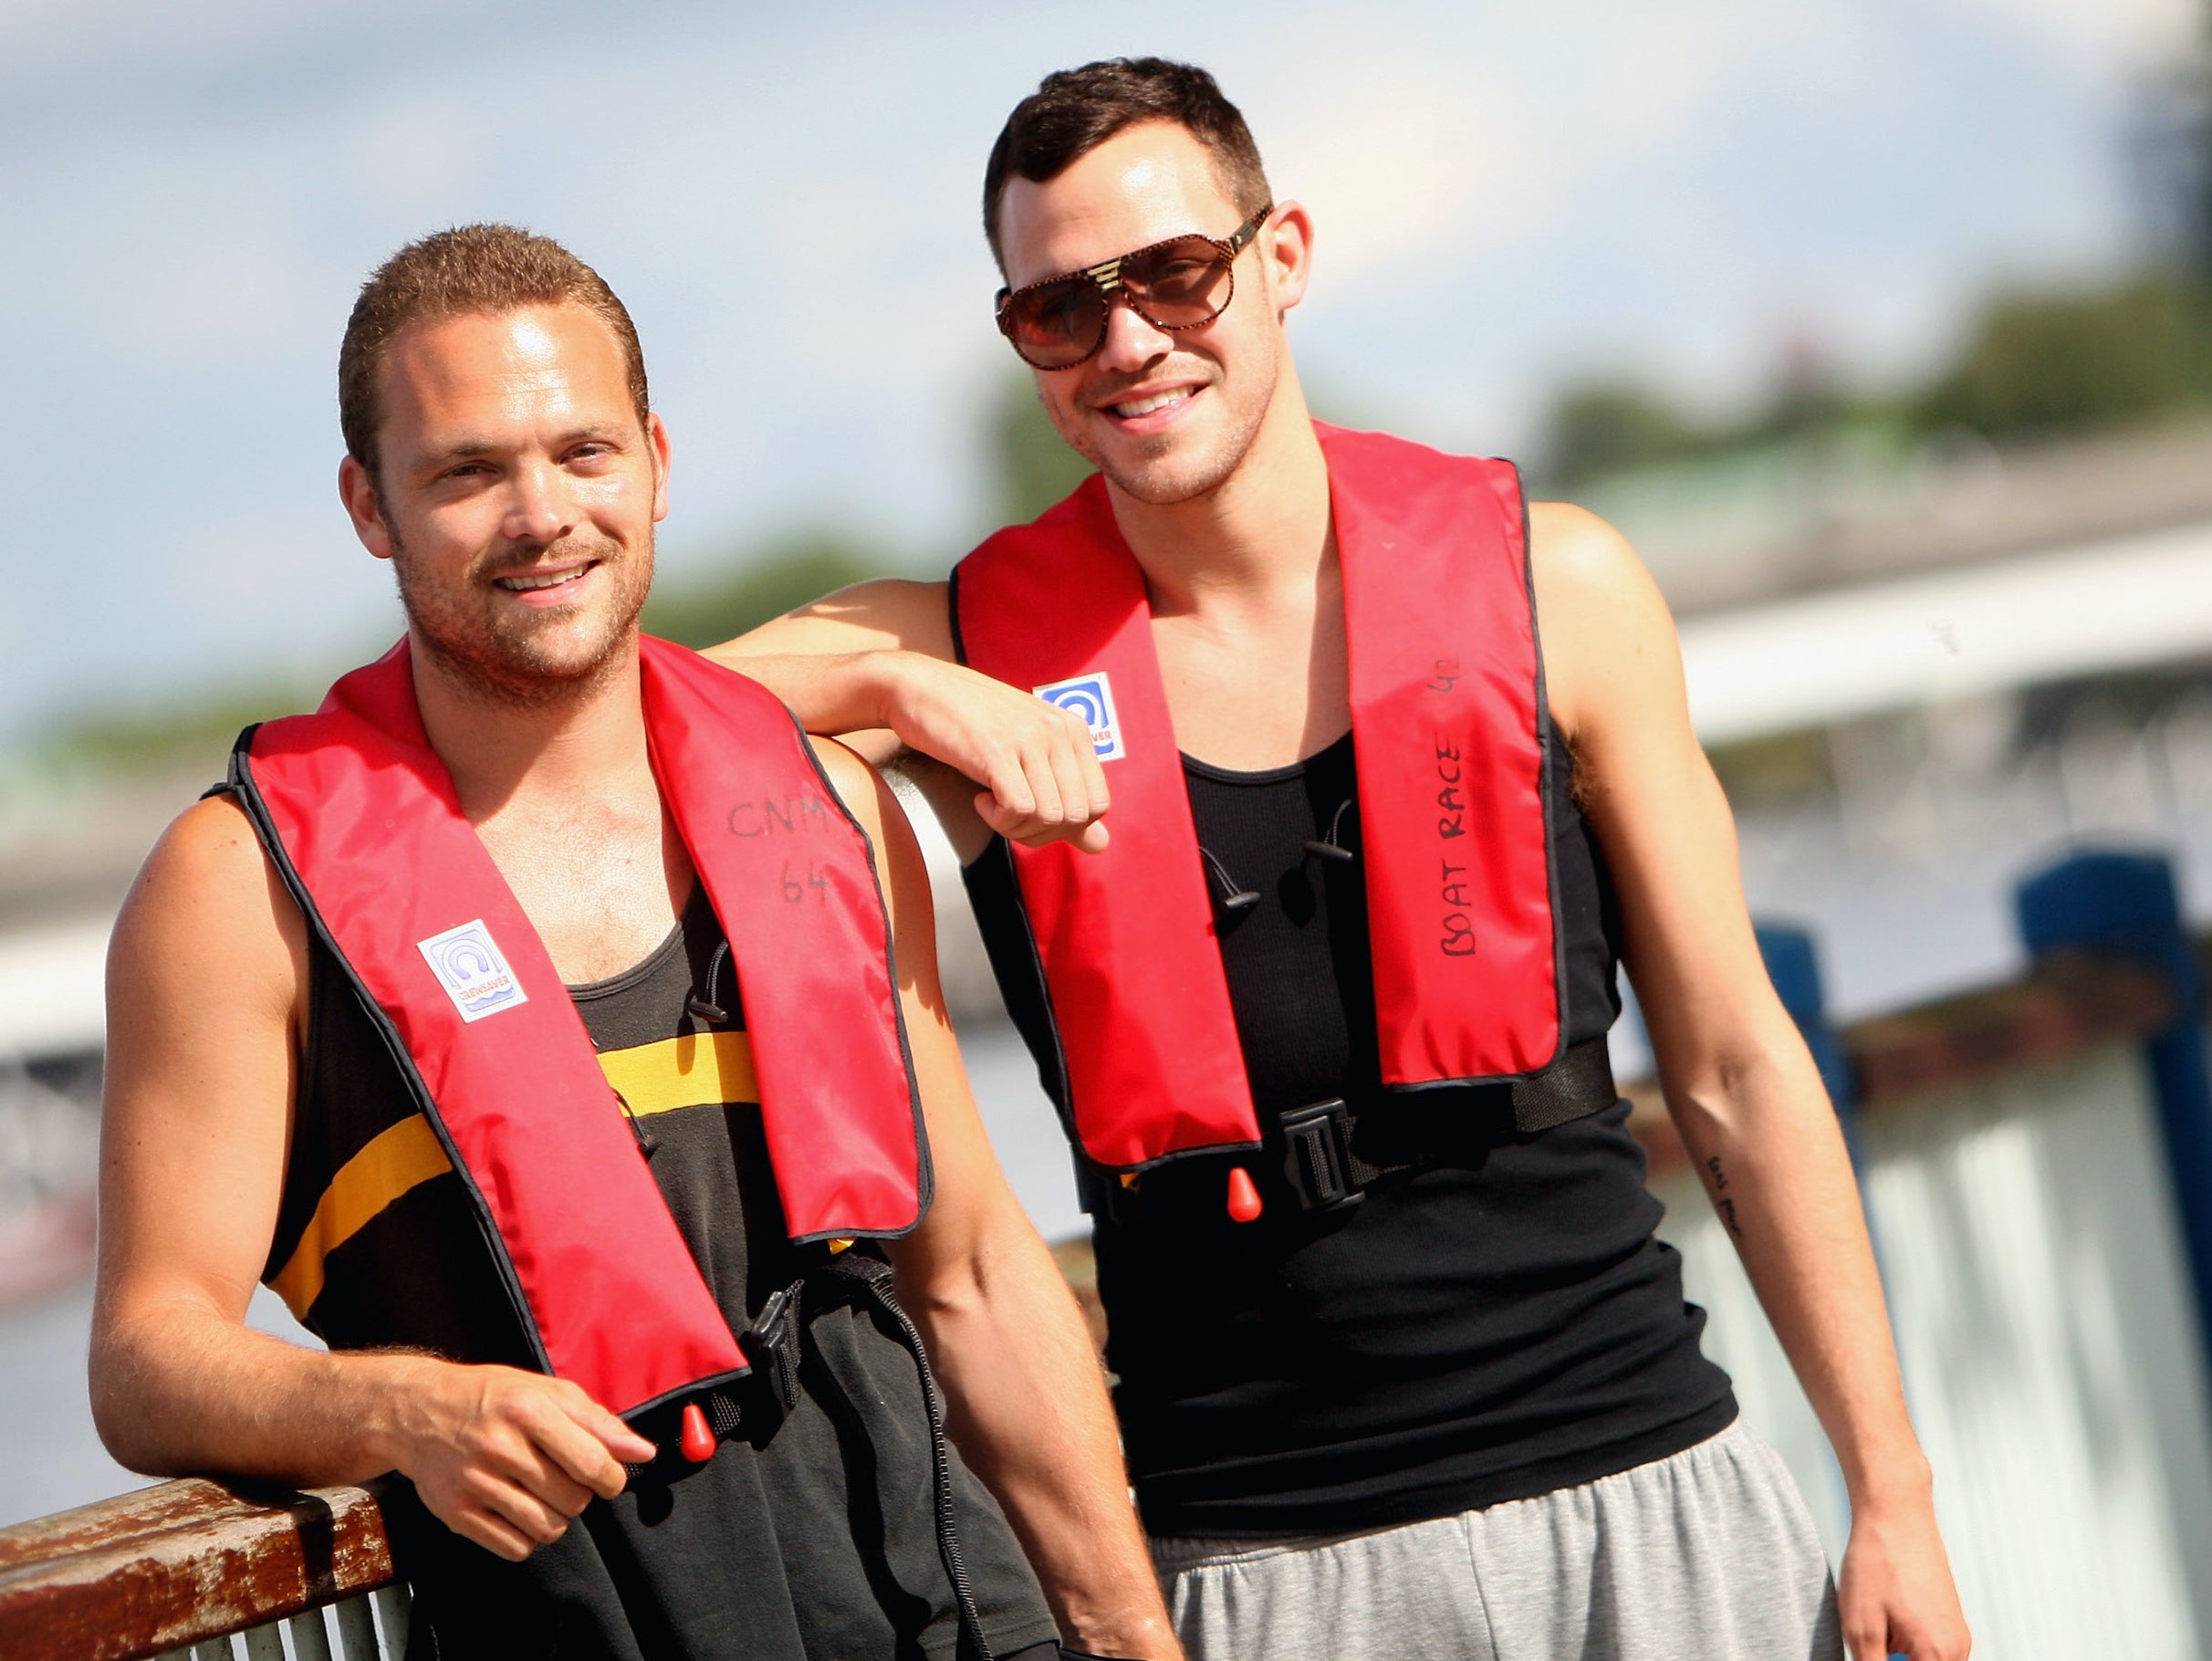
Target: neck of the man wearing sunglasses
[(1264, 532)]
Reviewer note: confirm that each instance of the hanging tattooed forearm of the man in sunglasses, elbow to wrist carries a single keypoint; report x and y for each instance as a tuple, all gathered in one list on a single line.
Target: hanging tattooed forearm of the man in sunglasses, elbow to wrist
[(1775, 1167)]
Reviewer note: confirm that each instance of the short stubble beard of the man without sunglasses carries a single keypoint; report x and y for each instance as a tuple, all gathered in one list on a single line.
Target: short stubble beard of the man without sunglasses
[(517, 658)]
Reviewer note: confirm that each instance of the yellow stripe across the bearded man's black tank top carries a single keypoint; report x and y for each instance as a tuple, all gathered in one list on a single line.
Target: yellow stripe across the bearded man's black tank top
[(689, 1072)]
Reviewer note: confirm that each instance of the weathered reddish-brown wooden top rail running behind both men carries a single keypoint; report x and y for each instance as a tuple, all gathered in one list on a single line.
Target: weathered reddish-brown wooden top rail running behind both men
[(182, 1567)]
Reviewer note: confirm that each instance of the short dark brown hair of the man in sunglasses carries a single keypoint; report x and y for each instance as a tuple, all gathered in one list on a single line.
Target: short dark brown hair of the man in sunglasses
[(1078, 109)]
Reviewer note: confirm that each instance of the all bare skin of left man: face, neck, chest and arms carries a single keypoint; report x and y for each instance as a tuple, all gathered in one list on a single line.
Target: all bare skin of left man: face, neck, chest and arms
[(519, 497)]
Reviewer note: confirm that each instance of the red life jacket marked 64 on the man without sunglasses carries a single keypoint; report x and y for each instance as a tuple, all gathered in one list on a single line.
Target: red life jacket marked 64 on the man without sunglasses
[(362, 822)]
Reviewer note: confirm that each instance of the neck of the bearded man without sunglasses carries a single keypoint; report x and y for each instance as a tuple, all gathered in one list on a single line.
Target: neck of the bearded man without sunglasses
[(505, 753)]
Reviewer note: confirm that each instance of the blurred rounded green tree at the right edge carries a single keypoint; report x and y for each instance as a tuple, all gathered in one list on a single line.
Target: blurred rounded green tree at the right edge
[(2052, 362)]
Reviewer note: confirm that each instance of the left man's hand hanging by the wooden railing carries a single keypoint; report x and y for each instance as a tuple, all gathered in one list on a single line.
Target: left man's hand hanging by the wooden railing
[(505, 1459)]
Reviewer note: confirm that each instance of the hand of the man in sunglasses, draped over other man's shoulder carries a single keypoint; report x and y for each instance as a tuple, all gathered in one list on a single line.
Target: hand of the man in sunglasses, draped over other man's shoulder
[(1041, 773)]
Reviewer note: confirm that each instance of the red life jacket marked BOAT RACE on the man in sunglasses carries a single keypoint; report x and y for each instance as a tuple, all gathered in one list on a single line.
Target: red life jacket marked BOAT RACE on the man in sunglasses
[(1450, 722)]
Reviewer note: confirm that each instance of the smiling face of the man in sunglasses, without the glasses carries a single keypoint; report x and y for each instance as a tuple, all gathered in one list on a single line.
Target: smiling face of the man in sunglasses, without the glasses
[(1165, 415)]
